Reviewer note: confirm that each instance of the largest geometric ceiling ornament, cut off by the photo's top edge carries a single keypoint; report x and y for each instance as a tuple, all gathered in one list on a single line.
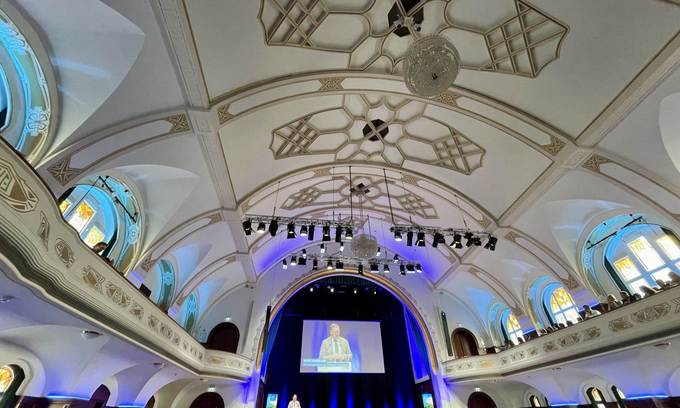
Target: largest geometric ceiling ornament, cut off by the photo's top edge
[(521, 42)]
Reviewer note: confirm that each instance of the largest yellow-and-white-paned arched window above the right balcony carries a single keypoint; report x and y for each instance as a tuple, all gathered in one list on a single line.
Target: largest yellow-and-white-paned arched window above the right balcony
[(639, 254)]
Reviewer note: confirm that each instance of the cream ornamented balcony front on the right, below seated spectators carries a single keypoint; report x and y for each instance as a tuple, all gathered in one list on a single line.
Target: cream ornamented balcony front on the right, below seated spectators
[(651, 318)]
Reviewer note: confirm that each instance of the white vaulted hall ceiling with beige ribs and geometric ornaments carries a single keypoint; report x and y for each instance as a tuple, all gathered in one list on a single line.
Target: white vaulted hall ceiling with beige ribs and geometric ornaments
[(216, 109)]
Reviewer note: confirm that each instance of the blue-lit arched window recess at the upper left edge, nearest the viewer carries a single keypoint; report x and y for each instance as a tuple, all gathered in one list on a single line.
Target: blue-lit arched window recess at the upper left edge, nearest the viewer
[(25, 108)]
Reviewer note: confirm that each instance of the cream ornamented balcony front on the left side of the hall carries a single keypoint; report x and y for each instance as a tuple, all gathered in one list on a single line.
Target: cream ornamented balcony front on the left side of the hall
[(49, 254)]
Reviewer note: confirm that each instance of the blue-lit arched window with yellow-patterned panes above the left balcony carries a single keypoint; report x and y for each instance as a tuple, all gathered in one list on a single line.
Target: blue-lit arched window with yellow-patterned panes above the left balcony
[(103, 209)]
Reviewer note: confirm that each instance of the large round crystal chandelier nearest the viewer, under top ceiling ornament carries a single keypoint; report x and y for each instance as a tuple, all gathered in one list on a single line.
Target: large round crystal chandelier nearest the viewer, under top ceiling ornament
[(432, 64)]
